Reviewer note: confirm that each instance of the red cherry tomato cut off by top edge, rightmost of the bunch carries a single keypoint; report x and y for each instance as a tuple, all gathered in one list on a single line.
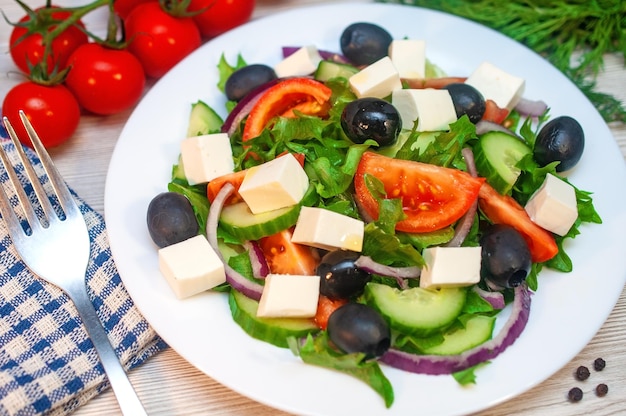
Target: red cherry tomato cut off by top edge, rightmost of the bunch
[(221, 15)]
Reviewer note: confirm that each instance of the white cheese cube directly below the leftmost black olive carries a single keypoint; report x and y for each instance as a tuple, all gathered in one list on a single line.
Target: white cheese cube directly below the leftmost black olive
[(191, 266)]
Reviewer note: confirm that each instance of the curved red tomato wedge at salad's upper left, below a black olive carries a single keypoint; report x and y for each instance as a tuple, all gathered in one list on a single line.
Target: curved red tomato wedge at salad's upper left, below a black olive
[(303, 94)]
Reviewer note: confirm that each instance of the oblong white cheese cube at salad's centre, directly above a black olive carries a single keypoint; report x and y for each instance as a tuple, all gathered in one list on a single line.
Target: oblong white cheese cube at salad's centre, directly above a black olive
[(328, 230)]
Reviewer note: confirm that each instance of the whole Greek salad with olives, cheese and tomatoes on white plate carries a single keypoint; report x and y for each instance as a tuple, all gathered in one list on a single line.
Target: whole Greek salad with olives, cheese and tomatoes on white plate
[(361, 207)]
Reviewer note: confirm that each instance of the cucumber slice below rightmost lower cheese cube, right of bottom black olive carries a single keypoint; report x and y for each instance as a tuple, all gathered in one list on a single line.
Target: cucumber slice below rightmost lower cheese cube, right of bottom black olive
[(416, 311)]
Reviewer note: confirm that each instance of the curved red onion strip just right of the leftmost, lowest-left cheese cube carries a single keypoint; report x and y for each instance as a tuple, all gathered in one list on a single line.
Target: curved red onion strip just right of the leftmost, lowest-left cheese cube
[(235, 279)]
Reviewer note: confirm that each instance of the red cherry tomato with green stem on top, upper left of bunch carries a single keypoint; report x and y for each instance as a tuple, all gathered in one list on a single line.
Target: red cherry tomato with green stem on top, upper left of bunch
[(27, 48)]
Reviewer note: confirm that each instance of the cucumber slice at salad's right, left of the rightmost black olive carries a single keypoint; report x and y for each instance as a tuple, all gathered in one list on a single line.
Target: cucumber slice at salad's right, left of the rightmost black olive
[(497, 154)]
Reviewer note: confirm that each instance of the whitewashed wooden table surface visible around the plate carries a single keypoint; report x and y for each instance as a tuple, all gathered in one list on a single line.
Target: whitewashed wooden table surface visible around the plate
[(167, 384)]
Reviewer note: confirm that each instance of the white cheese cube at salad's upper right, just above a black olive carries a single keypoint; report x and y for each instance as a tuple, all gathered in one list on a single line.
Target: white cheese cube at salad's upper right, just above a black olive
[(495, 84)]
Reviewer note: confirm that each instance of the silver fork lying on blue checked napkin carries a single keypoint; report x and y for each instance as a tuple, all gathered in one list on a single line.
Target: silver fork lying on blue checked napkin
[(57, 250)]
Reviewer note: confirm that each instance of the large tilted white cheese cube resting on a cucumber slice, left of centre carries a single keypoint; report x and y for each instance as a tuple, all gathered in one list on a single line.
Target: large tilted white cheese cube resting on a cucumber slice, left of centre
[(279, 183)]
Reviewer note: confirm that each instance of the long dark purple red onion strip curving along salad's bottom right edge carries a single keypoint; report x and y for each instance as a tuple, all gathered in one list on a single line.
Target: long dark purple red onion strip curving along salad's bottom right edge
[(448, 364)]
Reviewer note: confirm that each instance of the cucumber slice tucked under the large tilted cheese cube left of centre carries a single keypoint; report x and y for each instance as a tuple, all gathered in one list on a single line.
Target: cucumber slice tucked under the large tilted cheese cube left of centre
[(239, 221)]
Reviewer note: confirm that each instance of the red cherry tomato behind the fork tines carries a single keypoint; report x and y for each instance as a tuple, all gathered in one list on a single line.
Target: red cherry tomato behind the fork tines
[(52, 110)]
